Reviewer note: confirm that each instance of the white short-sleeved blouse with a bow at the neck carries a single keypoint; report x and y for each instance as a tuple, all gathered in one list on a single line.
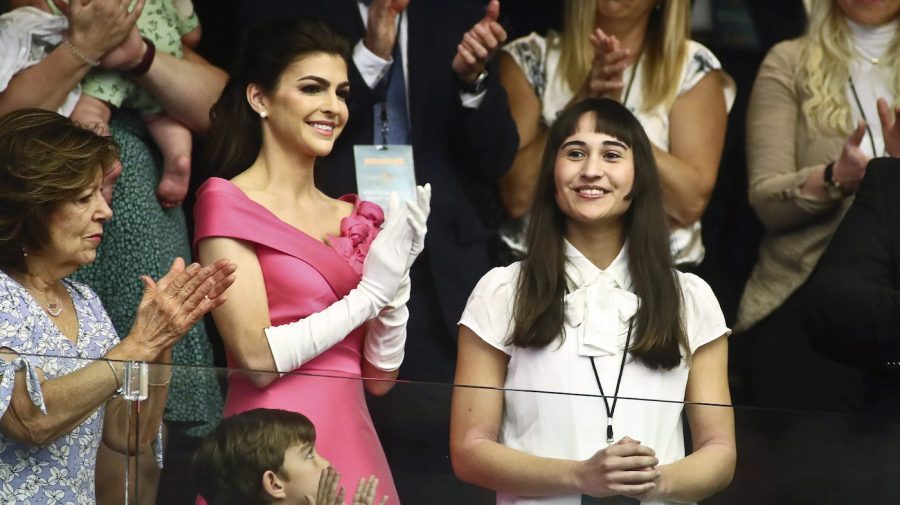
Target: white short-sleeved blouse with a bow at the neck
[(552, 406)]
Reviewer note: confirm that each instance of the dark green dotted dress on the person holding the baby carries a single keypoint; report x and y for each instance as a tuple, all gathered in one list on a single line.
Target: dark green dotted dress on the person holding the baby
[(143, 238)]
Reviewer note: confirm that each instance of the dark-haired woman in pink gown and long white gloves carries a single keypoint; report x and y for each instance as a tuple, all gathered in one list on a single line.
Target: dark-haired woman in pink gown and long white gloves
[(312, 272)]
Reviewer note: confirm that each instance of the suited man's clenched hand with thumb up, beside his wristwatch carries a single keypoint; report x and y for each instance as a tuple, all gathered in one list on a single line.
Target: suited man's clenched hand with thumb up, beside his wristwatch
[(479, 45)]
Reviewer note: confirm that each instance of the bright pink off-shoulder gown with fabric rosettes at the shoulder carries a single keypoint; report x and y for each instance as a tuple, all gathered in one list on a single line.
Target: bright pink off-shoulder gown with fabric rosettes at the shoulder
[(303, 276)]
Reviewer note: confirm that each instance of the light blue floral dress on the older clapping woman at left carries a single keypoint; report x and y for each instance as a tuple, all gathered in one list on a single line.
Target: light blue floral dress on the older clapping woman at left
[(63, 471)]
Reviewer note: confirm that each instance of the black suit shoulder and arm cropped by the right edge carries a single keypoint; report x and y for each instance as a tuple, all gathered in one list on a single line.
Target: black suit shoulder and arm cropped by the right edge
[(852, 298)]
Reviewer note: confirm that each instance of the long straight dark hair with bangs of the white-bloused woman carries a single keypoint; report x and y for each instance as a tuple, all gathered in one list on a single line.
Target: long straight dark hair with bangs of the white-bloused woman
[(659, 333)]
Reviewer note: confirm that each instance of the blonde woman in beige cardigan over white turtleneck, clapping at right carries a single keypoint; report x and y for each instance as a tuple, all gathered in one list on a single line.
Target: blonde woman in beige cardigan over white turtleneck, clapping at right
[(820, 109)]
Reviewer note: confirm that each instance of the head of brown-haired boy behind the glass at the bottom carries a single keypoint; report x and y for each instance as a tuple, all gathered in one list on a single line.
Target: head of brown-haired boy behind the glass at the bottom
[(261, 456)]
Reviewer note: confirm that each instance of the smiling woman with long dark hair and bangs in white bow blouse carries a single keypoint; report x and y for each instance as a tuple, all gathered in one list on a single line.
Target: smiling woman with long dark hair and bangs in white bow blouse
[(599, 280)]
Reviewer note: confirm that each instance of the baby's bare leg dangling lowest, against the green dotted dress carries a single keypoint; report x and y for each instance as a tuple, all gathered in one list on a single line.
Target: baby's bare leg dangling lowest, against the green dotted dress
[(174, 141)]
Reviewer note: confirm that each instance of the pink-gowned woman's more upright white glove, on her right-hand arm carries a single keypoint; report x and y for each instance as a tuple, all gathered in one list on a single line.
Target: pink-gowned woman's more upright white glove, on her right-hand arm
[(386, 337)]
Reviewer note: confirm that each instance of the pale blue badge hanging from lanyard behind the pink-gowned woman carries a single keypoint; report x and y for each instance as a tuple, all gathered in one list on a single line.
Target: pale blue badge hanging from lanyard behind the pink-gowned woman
[(382, 170)]
